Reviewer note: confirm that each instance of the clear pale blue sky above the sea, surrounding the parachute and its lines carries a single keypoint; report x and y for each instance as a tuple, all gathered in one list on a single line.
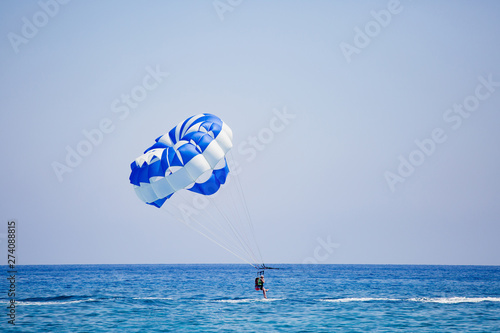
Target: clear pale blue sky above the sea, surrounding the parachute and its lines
[(366, 132)]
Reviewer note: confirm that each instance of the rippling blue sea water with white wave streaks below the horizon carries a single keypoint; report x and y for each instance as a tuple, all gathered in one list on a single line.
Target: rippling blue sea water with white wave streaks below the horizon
[(221, 298)]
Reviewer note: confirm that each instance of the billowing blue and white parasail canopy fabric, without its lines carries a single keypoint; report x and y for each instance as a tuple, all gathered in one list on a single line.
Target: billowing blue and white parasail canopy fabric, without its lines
[(191, 156)]
